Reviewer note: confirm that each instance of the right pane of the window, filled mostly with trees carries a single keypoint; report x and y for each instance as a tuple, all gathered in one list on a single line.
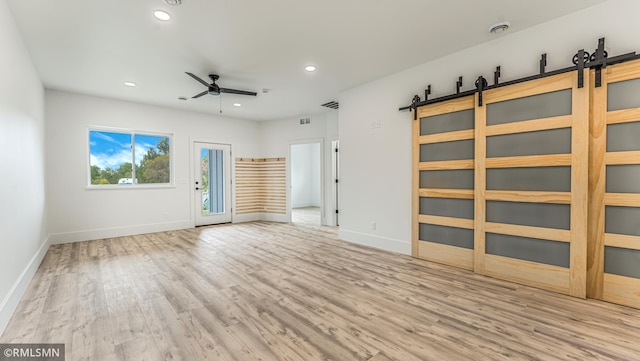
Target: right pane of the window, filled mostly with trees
[(152, 159)]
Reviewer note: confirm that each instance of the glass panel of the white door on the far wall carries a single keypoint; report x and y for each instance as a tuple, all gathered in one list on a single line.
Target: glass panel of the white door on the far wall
[(212, 165)]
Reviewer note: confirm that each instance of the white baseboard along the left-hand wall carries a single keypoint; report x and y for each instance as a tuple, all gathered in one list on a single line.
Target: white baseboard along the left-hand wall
[(11, 300)]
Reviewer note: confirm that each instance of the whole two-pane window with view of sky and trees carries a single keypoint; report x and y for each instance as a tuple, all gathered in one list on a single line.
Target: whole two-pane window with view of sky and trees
[(126, 158)]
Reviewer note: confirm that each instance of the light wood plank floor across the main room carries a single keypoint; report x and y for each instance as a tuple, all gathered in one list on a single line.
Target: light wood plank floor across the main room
[(266, 291)]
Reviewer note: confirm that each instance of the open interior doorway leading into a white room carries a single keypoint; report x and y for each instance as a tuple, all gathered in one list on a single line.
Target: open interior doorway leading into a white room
[(306, 183)]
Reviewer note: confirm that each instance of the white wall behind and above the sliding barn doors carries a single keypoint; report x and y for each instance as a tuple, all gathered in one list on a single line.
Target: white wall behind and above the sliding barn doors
[(375, 164)]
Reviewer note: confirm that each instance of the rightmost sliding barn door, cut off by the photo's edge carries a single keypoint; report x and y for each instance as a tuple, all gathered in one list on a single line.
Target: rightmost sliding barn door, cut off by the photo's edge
[(614, 232)]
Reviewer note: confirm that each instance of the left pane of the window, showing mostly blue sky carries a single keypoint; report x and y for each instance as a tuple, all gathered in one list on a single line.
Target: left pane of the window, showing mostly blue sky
[(110, 158)]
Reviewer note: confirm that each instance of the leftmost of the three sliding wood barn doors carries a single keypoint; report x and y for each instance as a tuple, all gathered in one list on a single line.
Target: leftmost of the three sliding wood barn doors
[(443, 178)]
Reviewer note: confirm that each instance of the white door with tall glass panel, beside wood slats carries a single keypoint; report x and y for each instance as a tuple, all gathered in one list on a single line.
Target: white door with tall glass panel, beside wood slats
[(212, 189)]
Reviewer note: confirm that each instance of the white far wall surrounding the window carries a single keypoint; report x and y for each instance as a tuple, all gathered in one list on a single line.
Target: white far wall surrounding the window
[(98, 213)]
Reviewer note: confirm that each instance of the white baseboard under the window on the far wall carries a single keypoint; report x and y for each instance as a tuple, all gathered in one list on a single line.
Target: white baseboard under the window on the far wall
[(88, 235)]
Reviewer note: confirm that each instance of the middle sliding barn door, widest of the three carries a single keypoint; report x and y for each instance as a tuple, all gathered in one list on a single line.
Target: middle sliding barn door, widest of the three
[(531, 183)]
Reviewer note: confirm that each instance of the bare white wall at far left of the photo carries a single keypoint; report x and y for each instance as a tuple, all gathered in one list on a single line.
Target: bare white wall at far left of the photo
[(22, 180)]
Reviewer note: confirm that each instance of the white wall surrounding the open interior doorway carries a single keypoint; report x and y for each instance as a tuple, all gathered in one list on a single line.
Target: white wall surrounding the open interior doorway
[(277, 136)]
